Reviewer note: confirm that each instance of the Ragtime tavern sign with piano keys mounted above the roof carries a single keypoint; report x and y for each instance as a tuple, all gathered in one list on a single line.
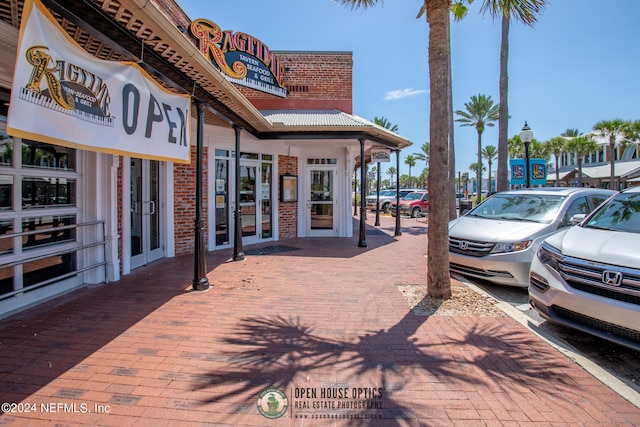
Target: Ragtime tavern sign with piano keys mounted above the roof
[(242, 59)]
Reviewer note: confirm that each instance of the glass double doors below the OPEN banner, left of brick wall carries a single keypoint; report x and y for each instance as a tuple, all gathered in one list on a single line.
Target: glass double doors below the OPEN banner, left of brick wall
[(146, 236)]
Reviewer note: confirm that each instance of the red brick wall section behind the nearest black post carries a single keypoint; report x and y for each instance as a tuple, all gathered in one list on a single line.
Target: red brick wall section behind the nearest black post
[(184, 198)]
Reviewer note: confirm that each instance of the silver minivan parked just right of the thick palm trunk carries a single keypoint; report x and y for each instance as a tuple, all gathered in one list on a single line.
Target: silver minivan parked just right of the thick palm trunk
[(497, 240)]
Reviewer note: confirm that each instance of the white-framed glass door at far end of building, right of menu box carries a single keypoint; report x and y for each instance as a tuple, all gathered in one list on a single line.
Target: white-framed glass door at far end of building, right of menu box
[(321, 202)]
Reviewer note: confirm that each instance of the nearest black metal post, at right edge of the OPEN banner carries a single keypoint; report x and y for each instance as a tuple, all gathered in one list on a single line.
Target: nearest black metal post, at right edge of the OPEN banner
[(200, 281)]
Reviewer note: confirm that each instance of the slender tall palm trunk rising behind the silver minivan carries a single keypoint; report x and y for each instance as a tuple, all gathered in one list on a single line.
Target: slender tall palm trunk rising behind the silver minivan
[(502, 183)]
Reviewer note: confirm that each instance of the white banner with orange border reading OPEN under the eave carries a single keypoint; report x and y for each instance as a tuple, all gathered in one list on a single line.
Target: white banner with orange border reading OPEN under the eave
[(64, 96)]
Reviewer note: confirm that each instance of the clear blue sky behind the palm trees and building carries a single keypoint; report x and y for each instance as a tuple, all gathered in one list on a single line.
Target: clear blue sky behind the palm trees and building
[(578, 65)]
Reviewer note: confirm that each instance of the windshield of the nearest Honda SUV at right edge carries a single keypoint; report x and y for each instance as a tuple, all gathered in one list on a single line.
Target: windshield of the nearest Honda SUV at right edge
[(622, 213)]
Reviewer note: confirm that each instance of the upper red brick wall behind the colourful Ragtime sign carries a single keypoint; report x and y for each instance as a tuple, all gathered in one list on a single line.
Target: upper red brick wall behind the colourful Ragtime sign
[(314, 80)]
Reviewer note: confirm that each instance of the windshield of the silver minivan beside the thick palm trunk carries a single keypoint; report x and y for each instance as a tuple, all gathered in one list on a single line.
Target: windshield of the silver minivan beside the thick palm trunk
[(519, 207)]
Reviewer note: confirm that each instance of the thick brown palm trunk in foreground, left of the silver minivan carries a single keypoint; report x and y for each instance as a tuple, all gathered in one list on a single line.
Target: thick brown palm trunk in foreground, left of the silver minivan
[(438, 281)]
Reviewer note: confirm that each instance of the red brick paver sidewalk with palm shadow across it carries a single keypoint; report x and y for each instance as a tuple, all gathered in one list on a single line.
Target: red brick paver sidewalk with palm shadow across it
[(320, 320)]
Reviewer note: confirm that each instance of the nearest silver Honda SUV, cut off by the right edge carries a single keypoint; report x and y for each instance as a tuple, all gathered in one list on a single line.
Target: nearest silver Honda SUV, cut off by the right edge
[(588, 277)]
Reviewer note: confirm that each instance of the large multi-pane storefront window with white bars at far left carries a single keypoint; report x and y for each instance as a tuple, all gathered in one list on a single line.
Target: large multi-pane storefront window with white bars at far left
[(39, 187)]
